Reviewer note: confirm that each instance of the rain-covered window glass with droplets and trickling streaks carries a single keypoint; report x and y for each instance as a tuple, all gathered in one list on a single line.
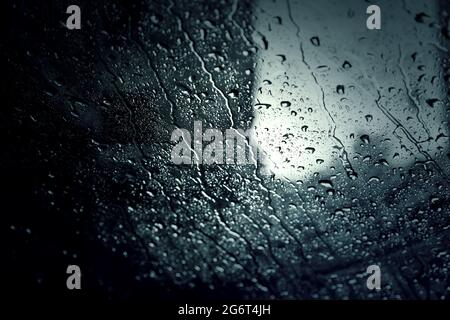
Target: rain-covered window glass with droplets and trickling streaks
[(353, 124)]
